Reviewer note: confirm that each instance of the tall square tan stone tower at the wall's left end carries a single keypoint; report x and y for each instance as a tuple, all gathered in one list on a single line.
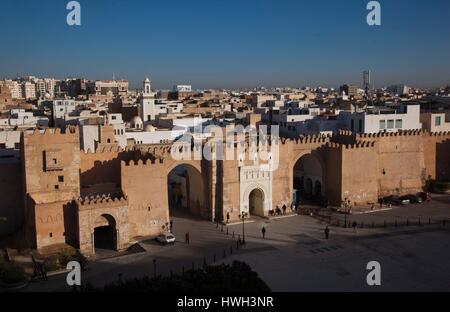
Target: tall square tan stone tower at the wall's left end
[(51, 162)]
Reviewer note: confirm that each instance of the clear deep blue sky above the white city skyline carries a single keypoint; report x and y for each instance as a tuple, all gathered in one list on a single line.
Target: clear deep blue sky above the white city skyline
[(229, 43)]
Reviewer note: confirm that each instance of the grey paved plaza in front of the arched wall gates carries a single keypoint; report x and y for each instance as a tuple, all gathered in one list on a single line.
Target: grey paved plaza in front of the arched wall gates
[(295, 256)]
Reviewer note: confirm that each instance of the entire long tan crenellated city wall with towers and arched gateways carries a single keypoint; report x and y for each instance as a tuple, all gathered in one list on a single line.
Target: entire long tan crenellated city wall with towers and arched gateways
[(357, 167)]
